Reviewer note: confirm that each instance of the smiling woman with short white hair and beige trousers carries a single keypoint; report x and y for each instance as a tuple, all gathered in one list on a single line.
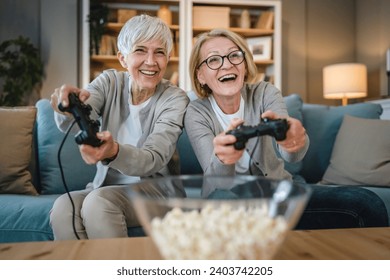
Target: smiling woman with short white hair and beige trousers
[(141, 117)]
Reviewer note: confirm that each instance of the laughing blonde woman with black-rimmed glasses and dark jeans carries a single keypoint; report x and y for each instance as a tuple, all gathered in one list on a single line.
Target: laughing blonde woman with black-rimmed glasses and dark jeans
[(222, 71)]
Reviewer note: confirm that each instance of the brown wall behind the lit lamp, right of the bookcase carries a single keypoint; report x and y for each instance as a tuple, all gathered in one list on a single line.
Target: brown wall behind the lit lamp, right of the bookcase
[(317, 33)]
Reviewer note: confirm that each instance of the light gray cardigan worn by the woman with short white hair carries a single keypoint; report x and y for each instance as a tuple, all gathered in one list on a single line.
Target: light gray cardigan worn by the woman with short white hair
[(161, 121)]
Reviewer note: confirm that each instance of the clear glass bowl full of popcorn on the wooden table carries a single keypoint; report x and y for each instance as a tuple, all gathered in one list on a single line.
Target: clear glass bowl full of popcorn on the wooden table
[(218, 217)]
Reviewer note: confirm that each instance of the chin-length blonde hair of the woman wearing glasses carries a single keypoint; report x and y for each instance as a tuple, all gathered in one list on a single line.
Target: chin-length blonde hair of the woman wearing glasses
[(195, 59)]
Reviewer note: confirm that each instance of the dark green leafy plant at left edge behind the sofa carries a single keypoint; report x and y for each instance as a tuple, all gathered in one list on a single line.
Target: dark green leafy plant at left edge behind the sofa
[(21, 72)]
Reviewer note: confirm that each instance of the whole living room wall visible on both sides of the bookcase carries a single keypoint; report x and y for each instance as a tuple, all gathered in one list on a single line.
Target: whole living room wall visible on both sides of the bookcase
[(316, 33)]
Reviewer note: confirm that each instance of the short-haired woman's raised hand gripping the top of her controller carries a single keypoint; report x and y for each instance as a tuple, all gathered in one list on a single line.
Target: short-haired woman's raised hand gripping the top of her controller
[(60, 95)]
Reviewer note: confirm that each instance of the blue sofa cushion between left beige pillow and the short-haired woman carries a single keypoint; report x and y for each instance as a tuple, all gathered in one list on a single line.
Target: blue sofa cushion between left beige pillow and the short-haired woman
[(76, 172)]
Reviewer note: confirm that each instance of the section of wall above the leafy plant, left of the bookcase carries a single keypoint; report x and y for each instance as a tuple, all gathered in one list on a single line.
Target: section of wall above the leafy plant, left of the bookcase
[(52, 26)]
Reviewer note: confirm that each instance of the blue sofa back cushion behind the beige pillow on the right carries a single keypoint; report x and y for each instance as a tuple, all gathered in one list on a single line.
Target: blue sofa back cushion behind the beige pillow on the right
[(322, 124)]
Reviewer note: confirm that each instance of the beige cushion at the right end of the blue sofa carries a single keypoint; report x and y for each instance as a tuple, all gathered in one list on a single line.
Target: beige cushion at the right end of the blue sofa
[(361, 153)]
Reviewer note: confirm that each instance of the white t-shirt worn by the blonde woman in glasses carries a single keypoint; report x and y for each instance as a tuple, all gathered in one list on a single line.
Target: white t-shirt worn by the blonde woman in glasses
[(242, 164)]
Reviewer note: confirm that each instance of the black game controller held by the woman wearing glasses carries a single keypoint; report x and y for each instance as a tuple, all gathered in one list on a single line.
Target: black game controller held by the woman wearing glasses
[(276, 128)]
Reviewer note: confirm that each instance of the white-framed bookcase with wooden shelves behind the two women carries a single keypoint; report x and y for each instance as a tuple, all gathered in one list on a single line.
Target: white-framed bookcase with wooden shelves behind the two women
[(188, 20)]
